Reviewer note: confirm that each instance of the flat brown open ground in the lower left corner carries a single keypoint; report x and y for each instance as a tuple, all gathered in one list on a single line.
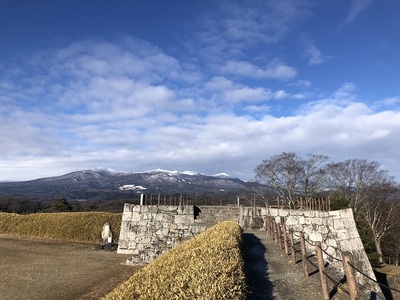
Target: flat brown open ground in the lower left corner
[(44, 269)]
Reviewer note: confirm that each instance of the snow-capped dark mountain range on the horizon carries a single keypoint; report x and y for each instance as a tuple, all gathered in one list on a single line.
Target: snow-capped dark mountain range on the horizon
[(103, 184)]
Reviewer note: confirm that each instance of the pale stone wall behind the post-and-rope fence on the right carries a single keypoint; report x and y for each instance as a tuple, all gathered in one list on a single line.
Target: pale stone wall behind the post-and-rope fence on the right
[(336, 230)]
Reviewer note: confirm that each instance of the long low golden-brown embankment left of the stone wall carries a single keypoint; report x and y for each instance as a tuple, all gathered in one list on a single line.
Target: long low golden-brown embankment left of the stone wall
[(74, 227)]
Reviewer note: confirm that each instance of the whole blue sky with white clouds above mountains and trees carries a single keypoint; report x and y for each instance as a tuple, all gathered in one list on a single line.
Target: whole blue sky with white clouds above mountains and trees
[(208, 86)]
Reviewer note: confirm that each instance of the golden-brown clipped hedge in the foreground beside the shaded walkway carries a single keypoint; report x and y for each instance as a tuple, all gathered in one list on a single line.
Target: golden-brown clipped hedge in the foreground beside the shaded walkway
[(209, 266)]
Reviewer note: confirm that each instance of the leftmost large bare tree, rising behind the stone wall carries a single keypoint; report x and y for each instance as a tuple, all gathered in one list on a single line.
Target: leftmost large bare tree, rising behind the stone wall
[(291, 176)]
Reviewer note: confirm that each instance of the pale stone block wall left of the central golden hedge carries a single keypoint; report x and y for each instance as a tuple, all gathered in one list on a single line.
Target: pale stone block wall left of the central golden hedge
[(148, 231)]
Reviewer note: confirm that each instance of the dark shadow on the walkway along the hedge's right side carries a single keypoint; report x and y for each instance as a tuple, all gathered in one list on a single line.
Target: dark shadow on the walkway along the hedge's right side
[(256, 268)]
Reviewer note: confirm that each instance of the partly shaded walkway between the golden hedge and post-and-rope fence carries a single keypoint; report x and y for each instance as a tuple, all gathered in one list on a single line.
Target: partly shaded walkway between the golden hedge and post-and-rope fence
[(271, 274)]
